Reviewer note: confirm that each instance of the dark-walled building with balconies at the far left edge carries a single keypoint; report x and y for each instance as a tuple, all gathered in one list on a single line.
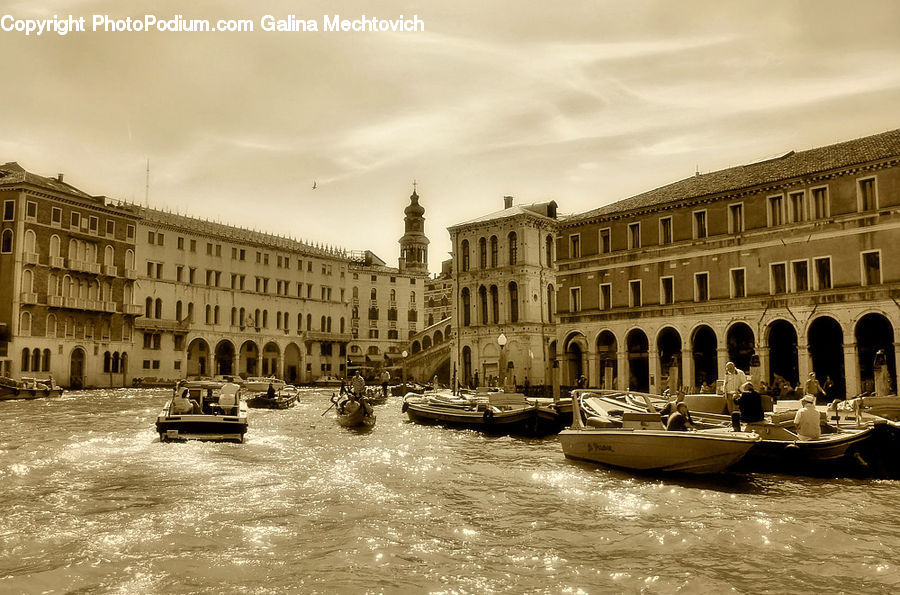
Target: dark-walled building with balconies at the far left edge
[(67, 275)]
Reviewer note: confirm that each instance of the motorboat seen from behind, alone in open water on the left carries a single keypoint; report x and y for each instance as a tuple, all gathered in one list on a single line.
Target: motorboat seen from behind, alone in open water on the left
[(219, 414)]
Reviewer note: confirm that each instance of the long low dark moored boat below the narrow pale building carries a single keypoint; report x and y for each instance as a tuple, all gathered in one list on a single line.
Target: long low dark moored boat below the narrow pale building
[(489, 412)]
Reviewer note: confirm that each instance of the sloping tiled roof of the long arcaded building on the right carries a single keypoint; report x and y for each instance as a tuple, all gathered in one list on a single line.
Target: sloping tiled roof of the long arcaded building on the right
[(791, 165)]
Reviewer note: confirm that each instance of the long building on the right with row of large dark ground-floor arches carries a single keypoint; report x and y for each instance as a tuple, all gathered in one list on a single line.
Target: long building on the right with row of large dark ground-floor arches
[(782, 266)]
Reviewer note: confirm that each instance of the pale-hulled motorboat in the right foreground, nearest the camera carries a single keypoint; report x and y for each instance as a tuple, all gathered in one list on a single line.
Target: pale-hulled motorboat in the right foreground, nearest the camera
[(641, 444)]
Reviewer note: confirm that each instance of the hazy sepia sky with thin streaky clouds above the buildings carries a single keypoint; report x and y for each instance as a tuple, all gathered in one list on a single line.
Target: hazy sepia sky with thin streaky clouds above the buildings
[(581, 102)]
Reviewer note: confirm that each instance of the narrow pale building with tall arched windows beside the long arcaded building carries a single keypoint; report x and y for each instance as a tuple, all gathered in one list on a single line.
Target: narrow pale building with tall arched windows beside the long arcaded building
[(505, 284)]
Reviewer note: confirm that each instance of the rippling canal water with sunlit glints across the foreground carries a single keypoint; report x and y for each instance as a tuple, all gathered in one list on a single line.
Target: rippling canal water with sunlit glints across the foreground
[(93, 502)]
